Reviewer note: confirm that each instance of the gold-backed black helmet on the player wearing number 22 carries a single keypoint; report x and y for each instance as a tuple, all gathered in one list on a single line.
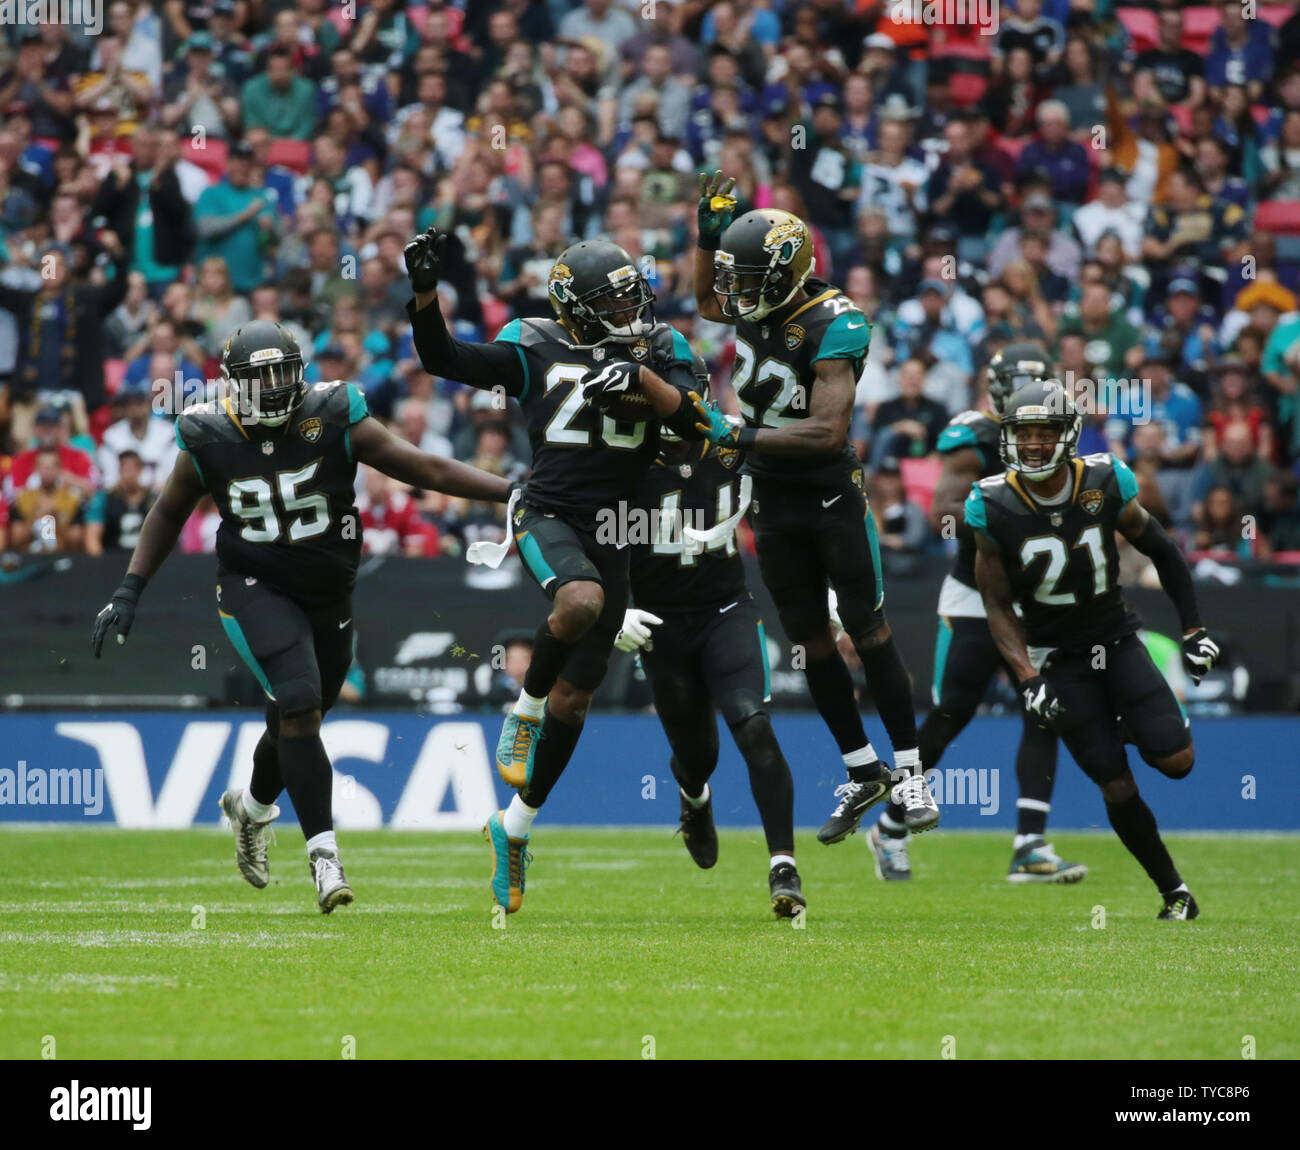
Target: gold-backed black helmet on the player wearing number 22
[(764, 259)]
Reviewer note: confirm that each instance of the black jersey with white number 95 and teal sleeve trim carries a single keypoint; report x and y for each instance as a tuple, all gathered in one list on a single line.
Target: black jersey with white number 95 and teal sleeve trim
[(285, 494)]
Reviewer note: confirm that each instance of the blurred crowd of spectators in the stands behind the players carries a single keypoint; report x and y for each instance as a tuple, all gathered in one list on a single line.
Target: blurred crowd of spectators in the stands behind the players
[(1121, 184)]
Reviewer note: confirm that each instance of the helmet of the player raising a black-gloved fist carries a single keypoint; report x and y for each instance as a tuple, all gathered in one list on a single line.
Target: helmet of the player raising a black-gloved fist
[(600, 294)]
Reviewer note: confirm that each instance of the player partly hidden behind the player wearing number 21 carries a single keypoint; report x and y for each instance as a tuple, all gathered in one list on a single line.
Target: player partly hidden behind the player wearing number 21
[(967, 658)]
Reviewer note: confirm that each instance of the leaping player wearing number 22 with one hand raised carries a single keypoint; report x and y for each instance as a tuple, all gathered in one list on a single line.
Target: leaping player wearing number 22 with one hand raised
[(800, 349)]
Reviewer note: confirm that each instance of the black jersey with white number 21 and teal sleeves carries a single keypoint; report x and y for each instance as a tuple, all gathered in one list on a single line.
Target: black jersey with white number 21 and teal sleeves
[(1061, 559)]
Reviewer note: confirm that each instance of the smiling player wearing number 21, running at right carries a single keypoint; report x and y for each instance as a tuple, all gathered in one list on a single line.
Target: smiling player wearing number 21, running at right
[(1046, 539)]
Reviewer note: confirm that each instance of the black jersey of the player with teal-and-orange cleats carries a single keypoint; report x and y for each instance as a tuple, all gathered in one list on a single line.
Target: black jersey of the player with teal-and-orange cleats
[(583, 461)]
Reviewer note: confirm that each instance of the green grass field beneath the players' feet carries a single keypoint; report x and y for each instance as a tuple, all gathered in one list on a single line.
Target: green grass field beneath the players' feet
[(622, 940)]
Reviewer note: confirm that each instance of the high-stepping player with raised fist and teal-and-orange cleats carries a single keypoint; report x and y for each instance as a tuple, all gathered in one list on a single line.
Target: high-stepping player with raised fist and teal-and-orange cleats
[(565, 374)]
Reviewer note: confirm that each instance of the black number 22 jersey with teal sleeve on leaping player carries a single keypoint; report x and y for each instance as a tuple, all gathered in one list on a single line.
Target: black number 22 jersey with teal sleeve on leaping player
[(774, 377)]
